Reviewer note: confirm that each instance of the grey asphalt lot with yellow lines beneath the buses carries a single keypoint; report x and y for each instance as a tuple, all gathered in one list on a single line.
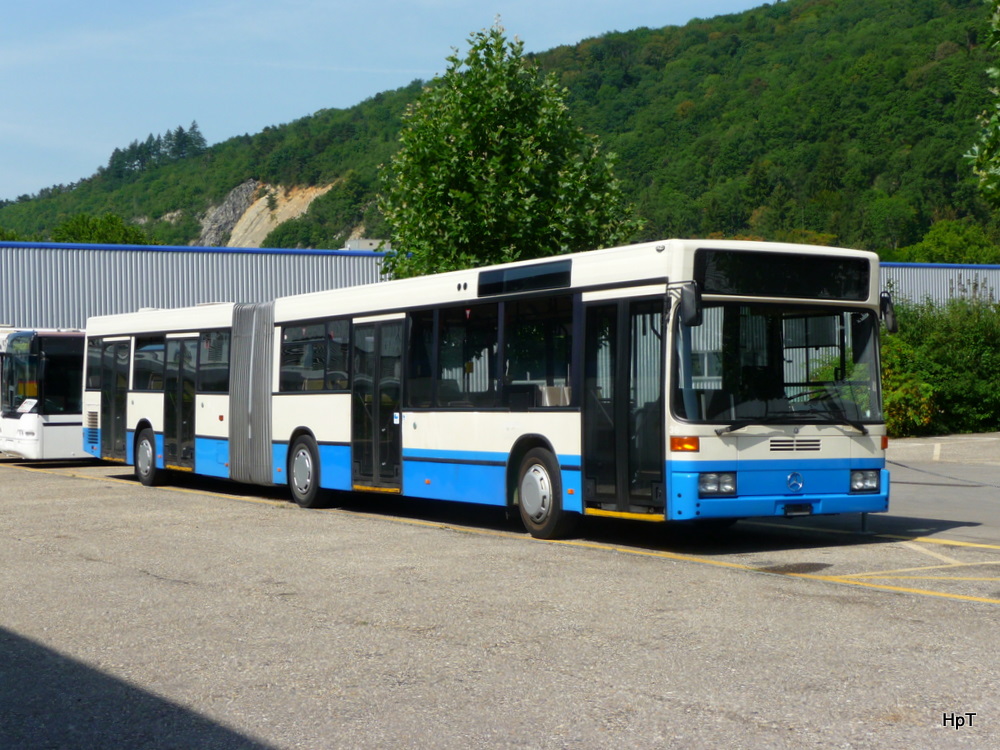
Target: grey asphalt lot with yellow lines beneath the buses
[(204, 614)]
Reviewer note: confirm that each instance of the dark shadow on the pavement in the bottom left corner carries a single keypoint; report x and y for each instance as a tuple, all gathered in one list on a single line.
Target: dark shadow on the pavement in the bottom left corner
[(49, 700)]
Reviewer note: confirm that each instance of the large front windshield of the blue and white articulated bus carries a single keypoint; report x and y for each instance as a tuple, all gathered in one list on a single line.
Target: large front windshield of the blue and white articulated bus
[(758, 364)]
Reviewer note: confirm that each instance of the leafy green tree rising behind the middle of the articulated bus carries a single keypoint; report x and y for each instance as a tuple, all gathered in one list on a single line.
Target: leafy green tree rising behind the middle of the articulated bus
[(491, 168)]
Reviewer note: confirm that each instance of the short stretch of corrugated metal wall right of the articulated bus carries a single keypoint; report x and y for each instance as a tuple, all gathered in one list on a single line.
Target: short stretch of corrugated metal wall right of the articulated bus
[(938, 283)]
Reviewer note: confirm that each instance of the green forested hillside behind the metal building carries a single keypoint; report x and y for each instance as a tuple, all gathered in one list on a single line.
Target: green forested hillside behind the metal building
[(826, 121)]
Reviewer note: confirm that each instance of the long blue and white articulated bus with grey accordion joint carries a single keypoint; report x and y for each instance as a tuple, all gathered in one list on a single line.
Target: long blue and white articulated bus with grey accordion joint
[(681, 380)]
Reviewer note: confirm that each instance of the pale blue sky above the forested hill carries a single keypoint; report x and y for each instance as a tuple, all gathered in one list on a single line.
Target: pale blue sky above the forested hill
[(79, 79)]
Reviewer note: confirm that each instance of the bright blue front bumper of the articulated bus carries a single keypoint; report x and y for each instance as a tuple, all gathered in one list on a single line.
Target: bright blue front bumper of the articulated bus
[(684, 504)]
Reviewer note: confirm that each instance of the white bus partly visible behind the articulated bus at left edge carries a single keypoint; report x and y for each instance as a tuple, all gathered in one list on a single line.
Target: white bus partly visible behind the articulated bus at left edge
[(41, 373)]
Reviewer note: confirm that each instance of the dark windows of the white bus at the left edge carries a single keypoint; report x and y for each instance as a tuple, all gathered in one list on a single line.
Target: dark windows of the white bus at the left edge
[(42, 375)]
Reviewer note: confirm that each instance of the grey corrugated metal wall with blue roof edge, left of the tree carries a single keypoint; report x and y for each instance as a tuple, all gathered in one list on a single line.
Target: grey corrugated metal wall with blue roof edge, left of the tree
[(60, 285)]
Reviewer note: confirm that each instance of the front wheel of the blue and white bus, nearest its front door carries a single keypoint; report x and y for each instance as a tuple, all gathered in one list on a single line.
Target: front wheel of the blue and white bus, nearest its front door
[(539, 497)]
